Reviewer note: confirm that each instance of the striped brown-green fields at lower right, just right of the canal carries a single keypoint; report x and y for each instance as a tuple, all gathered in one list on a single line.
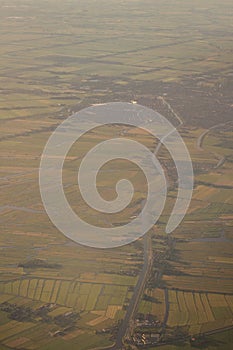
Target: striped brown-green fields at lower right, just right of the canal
[(200, 312)]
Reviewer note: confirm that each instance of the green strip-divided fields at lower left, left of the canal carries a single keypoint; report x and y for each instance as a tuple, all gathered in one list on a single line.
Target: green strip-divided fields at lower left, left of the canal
[(98, 305)]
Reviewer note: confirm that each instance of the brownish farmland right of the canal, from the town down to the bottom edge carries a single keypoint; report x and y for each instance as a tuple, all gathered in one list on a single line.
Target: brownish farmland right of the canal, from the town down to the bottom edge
[(192, 293)]
